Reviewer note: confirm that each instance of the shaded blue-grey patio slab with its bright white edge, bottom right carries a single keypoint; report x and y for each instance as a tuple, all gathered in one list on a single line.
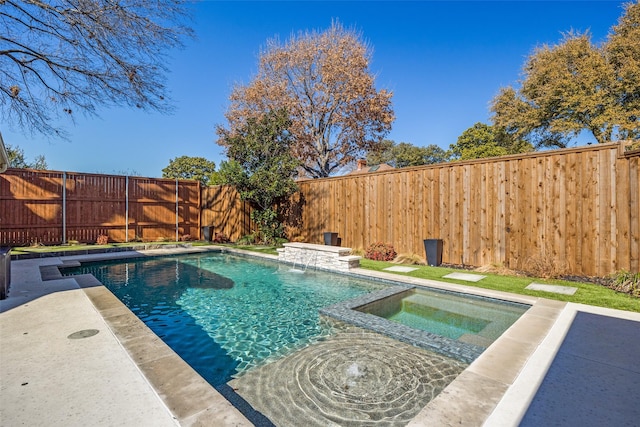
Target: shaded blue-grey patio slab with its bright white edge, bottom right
[(585, 373)]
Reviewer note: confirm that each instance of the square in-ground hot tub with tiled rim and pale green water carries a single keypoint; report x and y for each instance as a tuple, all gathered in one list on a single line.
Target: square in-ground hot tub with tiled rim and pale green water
[(454, 324)]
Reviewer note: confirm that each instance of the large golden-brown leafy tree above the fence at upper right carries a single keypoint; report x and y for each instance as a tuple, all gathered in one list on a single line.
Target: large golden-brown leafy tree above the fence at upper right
[(577, 86)]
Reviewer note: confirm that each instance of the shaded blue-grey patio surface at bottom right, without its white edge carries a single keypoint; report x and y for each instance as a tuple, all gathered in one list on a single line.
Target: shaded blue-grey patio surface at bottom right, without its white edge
[(594, 379)]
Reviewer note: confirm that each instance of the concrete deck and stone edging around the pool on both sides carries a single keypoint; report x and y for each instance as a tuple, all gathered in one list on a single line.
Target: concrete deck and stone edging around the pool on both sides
[(125, 375)]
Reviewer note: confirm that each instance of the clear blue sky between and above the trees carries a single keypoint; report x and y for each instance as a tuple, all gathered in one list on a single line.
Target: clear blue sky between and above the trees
[(444, 61)]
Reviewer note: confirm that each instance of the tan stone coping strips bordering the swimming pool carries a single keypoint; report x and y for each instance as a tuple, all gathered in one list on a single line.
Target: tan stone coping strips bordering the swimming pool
[(497, 386)]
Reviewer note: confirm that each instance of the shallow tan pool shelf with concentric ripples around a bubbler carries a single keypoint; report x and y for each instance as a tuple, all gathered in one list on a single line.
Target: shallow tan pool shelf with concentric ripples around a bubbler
[(355, 378)]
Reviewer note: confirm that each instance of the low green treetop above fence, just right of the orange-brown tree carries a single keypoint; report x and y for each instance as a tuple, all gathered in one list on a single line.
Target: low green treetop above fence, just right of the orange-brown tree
[(405, 154)]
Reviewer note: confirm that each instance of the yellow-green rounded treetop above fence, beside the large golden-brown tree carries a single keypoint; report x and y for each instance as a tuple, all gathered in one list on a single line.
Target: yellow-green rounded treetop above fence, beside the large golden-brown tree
[(482, 140)]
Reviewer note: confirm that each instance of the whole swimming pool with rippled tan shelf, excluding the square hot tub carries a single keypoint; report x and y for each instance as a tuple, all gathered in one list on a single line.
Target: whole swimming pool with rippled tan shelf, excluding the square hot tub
[(284, 346)]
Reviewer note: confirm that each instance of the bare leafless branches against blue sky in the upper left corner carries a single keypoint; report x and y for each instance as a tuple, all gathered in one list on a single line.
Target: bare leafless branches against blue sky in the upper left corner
[(64, 57)]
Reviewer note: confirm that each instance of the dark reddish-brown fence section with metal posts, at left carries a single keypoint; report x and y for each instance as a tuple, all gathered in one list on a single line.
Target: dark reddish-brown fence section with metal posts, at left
[(56, 207)]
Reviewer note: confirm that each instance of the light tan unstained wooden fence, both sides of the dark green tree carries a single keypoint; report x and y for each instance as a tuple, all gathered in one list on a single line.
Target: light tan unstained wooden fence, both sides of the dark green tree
[(578, 207)]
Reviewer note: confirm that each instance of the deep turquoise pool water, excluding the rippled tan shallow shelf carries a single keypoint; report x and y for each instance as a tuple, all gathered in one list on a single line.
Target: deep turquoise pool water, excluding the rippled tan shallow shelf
[(224, 314)]
